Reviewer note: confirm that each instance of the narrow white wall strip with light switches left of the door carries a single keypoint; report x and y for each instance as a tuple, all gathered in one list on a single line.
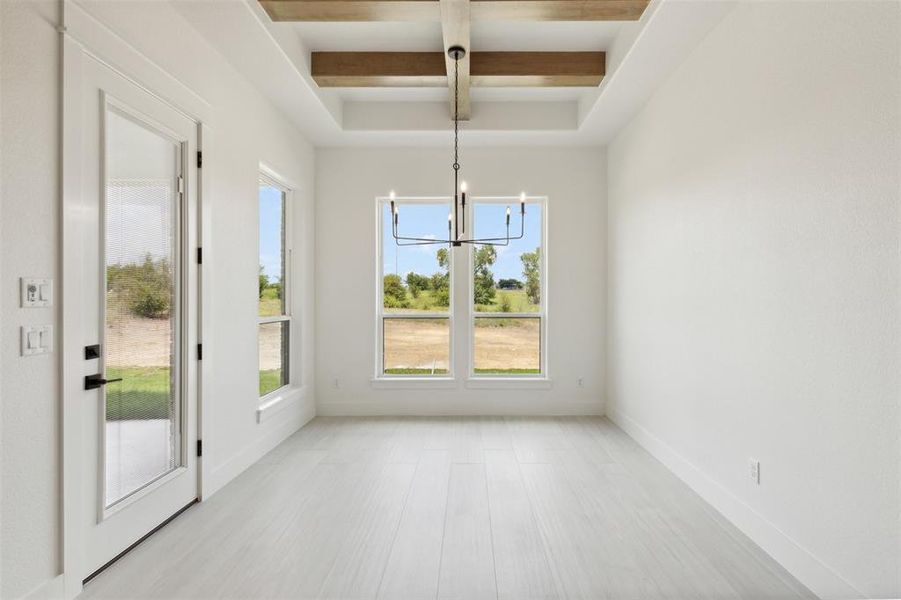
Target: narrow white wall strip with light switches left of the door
[(29, 523)]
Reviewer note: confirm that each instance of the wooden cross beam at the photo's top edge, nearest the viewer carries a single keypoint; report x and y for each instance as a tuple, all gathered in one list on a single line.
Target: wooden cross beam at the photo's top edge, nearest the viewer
[(429, 10)]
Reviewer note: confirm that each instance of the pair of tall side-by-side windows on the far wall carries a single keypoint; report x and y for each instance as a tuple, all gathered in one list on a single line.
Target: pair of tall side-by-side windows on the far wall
[(505, 316)]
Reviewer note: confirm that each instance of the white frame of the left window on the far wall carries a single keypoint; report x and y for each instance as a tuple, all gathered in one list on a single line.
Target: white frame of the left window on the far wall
[(381, 202)]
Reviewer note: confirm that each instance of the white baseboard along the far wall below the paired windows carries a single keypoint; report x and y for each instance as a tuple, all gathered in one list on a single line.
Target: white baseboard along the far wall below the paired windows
[(419, 408)]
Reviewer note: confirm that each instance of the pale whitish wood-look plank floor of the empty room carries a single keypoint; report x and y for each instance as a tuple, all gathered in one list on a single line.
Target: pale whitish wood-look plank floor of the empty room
[(465, 508)]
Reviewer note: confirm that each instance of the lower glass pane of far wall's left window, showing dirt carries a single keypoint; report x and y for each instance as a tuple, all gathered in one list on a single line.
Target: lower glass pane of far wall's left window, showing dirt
[(416, 346)]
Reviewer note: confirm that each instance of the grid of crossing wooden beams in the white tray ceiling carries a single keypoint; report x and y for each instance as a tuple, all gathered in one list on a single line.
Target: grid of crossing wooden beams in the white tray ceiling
[(516, 64)]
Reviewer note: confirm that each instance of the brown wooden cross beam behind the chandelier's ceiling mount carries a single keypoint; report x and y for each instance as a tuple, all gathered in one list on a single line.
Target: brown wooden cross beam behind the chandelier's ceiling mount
[(486, 69)]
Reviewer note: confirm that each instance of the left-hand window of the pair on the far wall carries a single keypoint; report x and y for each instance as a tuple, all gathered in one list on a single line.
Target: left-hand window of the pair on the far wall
[(415, 293)]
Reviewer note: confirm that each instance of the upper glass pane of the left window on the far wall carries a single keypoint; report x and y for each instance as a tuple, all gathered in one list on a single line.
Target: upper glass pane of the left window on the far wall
[(416, 278)]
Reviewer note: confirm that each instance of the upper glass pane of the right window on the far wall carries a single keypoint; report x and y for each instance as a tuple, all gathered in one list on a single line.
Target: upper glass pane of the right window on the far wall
[(507, 278)]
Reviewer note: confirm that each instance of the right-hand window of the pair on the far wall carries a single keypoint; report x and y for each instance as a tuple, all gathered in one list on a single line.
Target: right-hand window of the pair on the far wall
[(508, 293)]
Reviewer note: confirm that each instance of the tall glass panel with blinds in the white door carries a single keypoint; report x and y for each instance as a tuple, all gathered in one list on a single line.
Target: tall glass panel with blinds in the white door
[(142, 437)]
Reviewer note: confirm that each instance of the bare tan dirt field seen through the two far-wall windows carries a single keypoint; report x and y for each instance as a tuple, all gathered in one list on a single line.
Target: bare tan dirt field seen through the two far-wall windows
[(420, 344)]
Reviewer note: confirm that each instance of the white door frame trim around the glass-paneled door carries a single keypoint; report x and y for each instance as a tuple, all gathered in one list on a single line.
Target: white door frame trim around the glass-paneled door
[(82, 39)]
